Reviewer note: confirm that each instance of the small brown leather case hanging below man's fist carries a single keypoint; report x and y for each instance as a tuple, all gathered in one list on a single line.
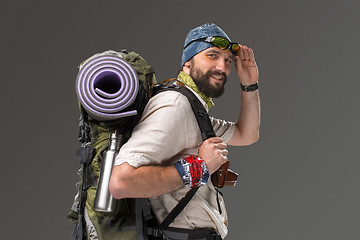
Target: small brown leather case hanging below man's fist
[(224, 176)]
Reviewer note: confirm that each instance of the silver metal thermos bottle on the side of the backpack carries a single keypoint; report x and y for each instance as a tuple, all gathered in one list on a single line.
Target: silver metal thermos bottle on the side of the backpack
[(104, 201)]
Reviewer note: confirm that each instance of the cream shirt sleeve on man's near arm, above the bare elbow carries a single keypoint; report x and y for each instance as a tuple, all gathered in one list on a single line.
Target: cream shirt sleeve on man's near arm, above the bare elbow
[(160, 134)]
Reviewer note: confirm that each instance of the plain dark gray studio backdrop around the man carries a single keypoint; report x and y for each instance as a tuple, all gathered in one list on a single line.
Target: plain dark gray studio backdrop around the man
[(299, 181)]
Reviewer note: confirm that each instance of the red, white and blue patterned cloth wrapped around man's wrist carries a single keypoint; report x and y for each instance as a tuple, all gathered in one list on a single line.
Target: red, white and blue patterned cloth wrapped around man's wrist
[(193, 171)]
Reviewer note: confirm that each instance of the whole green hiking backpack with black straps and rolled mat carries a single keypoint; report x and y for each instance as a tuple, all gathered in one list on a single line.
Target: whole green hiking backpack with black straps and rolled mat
[(131, 219)]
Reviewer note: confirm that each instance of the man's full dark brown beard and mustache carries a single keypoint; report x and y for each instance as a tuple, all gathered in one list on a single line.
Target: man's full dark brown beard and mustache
[(202, 81)]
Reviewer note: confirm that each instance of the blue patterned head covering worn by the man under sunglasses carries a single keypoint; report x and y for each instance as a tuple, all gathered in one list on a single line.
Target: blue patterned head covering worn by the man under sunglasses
[(203, 31)]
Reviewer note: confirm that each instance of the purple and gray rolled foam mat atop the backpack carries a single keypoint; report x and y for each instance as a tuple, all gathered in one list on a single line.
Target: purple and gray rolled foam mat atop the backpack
[(106, 86)]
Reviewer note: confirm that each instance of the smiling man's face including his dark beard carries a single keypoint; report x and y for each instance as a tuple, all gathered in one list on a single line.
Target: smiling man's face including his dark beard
[(209, 70)]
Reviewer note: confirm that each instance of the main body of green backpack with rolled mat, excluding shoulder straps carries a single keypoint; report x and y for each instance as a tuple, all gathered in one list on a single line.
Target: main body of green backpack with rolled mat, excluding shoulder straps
[(94, 135)]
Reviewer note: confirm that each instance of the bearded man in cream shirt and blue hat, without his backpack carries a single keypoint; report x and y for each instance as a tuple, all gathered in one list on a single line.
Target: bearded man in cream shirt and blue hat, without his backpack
[(153, 163)]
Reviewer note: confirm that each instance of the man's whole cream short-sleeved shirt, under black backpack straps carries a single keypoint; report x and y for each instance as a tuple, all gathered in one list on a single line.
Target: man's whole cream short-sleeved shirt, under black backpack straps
[(168, 131)]
